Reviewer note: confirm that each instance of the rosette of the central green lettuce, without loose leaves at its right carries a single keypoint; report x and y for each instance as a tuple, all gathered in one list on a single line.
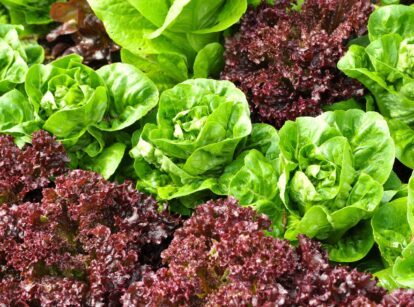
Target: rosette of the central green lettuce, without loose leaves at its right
[(200, 124)]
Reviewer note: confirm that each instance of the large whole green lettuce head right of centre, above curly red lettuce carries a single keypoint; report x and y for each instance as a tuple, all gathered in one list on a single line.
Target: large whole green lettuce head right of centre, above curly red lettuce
[(333, 168)]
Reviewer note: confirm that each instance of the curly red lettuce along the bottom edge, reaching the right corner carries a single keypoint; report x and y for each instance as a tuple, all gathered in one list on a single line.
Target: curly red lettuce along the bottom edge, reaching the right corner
[(221, 257)]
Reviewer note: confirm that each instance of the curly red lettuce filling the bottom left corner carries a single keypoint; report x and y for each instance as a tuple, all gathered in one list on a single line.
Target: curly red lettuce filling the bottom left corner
[(71, 238)]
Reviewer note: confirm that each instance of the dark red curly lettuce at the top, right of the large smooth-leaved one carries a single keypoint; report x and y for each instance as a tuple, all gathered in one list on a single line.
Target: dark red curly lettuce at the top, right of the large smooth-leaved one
[(285, 60)]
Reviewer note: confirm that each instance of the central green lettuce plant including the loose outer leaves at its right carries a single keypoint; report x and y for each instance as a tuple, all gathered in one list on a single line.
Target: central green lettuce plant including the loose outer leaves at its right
[(204, 145)]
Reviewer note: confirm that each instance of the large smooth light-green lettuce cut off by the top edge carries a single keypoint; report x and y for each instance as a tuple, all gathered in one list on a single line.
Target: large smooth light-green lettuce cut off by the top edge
[(169, 40)]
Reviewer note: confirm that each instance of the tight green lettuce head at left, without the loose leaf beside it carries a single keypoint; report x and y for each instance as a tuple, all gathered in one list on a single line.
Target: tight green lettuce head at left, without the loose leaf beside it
[(68, 96)]
